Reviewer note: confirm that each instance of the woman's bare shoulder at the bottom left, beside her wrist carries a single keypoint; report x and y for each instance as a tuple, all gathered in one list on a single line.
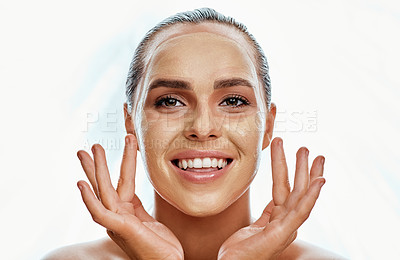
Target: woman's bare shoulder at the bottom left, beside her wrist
[(100, 249)]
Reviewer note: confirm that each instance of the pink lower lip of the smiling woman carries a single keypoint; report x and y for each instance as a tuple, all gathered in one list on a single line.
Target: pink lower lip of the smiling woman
[(202, 177)]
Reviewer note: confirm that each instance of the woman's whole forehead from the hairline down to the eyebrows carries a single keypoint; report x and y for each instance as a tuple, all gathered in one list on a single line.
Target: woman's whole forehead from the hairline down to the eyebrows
[(189, 47)]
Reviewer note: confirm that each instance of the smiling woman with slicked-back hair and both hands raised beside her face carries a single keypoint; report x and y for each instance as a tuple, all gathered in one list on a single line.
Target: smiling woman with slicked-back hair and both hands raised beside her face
[(199, 88)]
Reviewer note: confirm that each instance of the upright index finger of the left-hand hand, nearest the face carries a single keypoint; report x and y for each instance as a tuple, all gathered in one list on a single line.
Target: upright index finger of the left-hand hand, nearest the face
[(126, 183)]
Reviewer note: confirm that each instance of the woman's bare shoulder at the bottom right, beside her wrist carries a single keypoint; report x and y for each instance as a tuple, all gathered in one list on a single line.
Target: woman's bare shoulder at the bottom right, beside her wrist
[(300, 250)]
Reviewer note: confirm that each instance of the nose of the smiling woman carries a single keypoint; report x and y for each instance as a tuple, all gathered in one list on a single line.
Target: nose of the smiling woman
[(202, 125)]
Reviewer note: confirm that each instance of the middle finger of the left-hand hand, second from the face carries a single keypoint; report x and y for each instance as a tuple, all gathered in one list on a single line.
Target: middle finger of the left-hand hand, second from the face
[(107, 194)]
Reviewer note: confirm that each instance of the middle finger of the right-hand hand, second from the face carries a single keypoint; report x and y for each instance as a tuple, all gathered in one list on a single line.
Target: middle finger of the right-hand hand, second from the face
[(302, 178)]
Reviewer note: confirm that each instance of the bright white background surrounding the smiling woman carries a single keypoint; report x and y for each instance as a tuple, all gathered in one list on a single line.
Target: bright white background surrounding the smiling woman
[(334, 67)]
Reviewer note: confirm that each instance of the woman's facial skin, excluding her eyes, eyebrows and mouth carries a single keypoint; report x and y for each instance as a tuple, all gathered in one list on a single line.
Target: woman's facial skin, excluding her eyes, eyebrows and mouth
[(199, 121)]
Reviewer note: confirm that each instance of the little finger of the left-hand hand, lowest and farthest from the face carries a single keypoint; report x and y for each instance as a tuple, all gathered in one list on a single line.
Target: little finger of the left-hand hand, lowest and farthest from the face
[(99, 213)]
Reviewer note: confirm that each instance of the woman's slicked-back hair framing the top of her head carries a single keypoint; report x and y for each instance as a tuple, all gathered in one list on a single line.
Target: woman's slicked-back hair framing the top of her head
[(136, 69)]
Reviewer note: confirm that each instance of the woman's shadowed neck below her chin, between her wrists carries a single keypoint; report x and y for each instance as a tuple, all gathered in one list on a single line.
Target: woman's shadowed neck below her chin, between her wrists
[(201, 237)]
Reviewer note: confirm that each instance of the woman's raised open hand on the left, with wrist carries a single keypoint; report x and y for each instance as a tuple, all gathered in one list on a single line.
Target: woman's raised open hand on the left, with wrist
[(120, 211)]
